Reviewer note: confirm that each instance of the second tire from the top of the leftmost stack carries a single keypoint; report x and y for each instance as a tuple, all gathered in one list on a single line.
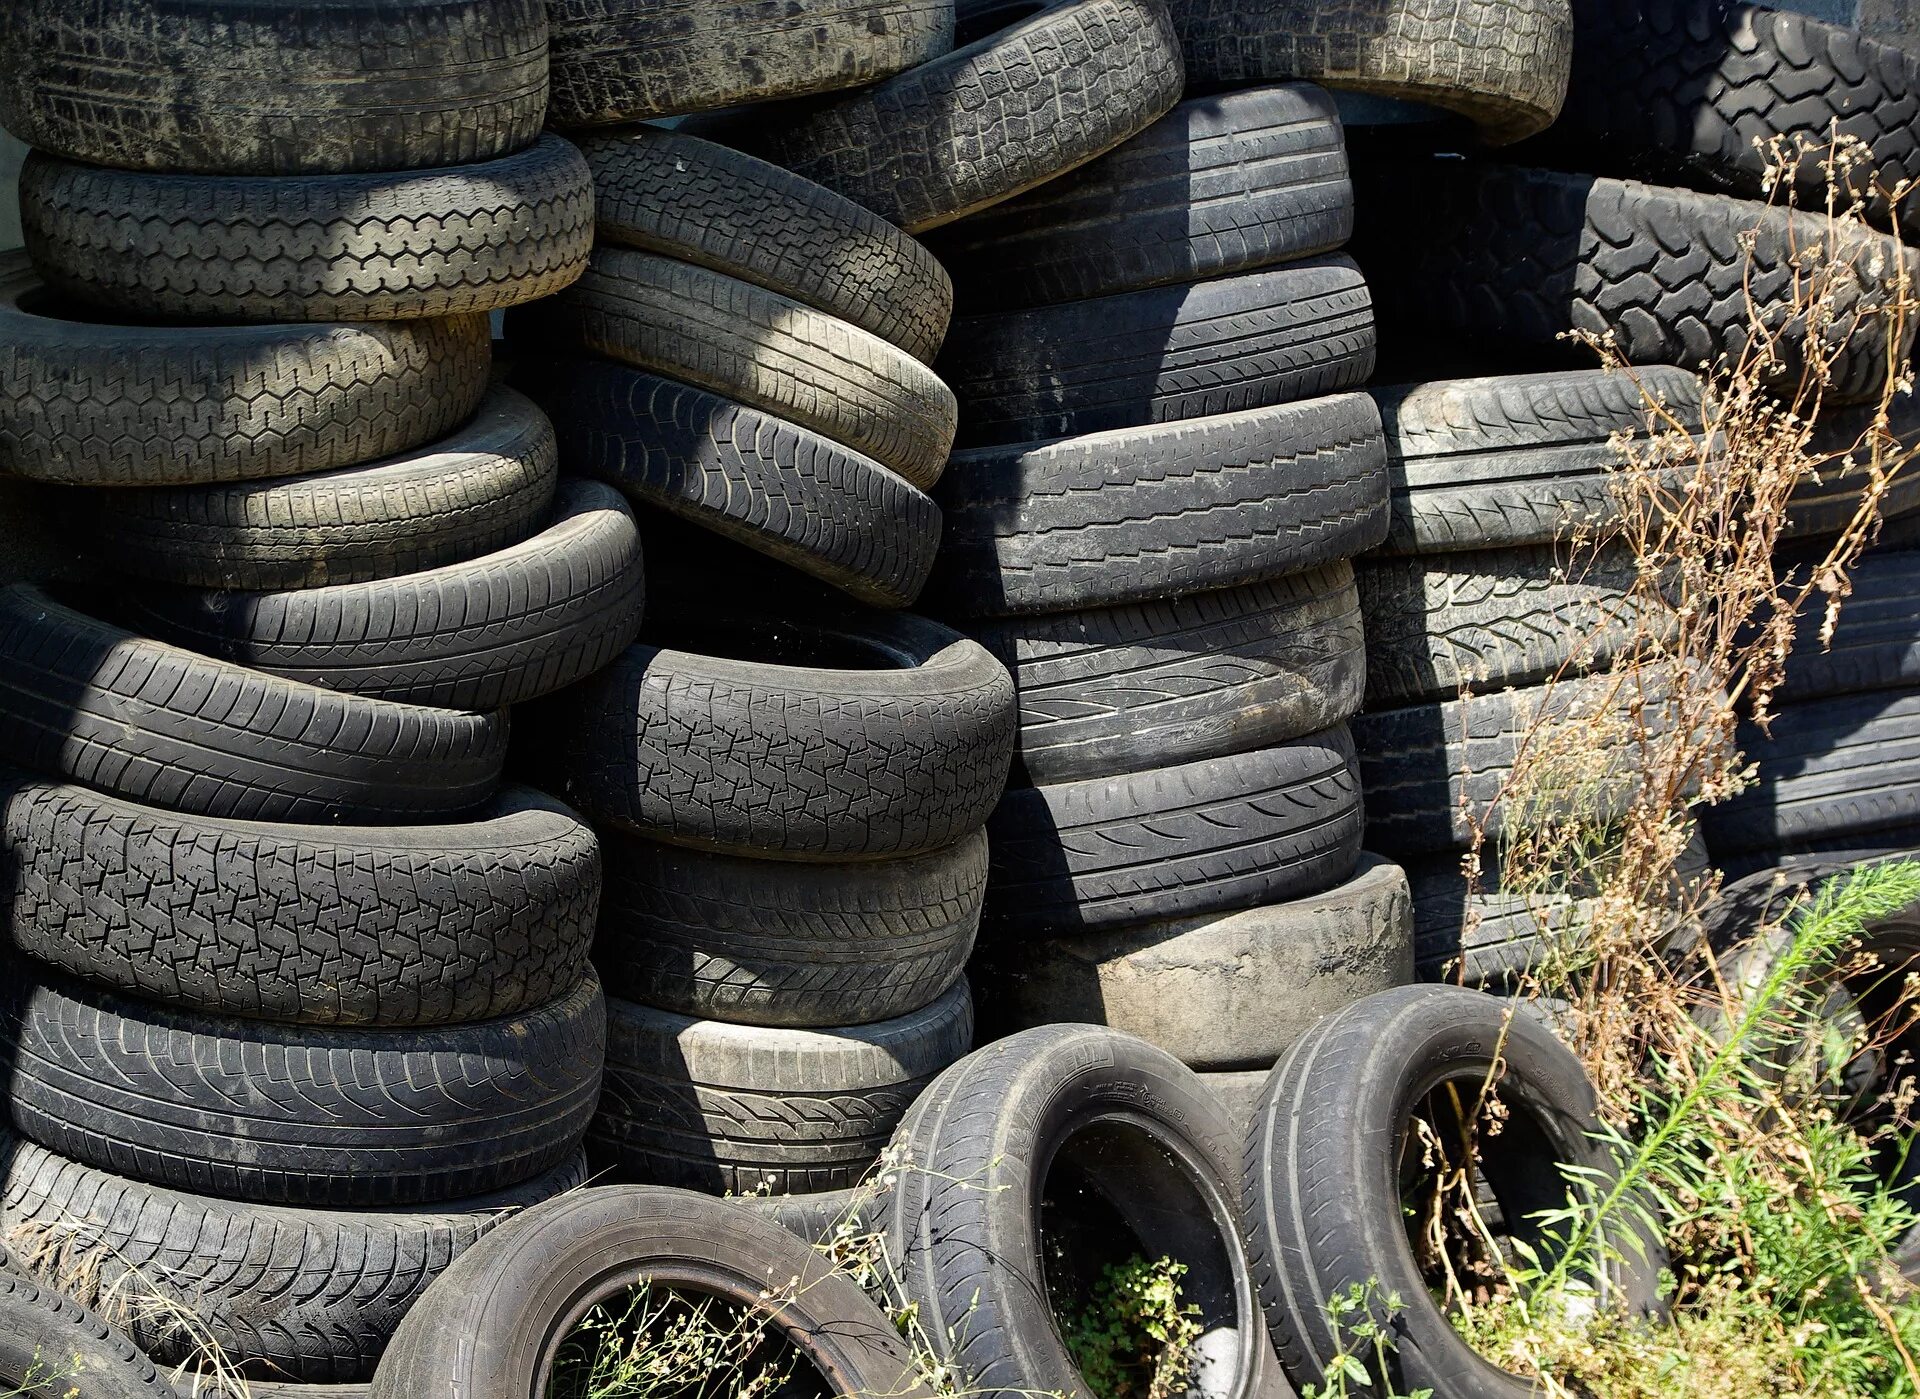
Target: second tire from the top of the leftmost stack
[(312, 249)]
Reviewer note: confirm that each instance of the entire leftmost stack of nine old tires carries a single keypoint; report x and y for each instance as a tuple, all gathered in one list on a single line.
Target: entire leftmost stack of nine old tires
[(306, 1001)]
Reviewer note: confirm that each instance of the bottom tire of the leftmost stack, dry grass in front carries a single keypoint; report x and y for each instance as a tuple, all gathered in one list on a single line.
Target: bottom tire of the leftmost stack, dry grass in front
[(302, 1294)]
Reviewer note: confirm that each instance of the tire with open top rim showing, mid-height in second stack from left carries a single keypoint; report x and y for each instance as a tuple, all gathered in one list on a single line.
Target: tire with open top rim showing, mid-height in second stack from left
[(865, 736)]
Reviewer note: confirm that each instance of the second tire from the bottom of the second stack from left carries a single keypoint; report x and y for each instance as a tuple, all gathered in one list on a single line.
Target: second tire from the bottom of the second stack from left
[(780, 943)]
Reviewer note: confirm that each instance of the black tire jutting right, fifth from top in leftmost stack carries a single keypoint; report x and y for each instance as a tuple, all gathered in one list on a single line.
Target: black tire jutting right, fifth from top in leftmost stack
[(477, 636)]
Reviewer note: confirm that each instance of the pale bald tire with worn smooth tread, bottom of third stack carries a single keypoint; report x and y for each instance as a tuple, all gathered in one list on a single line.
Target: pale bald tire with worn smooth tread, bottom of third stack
[(1216, 993)]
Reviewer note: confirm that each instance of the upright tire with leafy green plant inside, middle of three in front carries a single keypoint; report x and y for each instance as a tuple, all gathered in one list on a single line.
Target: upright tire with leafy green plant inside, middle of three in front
[(1074, 1145)]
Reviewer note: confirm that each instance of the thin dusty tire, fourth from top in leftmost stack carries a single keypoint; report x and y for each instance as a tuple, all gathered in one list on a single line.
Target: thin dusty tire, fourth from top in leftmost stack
[(479, 490)]
